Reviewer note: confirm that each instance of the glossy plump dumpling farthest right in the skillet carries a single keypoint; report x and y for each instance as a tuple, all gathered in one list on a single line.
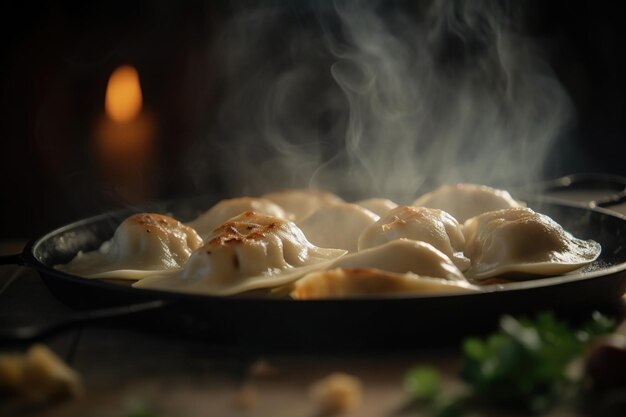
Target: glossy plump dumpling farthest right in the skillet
[(519, 241)]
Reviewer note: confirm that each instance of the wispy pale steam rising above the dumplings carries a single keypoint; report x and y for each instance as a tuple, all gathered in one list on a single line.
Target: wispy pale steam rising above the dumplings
[(365, 100)]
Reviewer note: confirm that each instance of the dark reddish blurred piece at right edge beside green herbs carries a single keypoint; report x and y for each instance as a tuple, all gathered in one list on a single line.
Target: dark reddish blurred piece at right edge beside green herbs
[(605, 363)]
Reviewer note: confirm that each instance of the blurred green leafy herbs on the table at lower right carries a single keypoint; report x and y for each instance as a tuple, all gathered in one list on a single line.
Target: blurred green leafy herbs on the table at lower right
[(527, 364)]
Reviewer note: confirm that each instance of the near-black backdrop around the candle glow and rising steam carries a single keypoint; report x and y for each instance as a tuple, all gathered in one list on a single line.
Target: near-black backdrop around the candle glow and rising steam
[(59, 55)]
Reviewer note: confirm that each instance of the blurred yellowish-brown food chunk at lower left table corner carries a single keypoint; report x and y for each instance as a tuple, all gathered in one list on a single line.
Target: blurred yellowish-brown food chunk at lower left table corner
[(38, 375)]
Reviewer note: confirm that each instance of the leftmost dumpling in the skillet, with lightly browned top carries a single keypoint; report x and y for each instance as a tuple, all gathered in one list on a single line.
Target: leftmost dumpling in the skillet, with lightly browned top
[(142, 243)]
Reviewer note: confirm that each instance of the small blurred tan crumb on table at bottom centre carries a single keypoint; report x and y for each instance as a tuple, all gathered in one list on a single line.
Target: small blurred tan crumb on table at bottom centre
[(337, 393)]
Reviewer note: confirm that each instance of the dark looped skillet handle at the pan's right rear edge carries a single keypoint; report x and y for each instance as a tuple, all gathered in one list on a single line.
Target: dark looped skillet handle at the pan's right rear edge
[(591, 181)]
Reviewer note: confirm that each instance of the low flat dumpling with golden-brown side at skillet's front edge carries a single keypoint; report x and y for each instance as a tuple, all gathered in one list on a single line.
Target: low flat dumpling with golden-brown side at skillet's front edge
[(343, 283)]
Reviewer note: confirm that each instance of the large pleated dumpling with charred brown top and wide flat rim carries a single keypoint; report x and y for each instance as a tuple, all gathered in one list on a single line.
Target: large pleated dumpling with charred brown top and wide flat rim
[(248, 252)]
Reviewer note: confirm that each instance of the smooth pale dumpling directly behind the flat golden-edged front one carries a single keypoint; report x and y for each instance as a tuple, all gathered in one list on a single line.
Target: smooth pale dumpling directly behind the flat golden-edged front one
[(402, 256)]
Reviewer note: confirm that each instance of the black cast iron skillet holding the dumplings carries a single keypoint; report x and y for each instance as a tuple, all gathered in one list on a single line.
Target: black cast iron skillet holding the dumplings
[(375, 323)]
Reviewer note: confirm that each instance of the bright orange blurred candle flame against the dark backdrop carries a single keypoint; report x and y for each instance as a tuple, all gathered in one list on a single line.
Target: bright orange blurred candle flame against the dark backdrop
[(123, 98)]
